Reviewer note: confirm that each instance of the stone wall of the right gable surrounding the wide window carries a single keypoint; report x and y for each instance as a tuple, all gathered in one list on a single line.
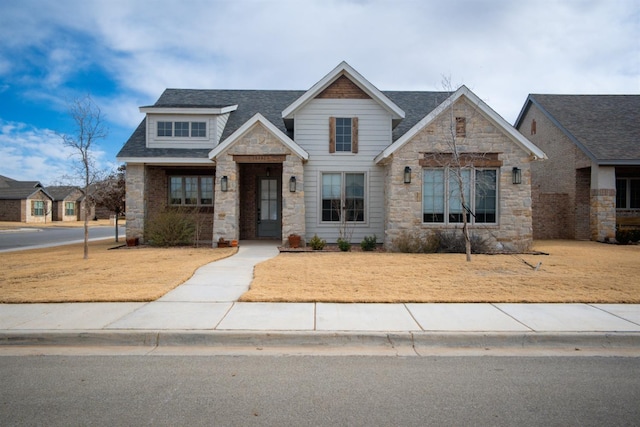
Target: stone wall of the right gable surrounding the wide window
[(404, 201)]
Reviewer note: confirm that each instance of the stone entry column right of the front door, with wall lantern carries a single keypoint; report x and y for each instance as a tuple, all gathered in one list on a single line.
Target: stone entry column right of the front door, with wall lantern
[(293, 211)]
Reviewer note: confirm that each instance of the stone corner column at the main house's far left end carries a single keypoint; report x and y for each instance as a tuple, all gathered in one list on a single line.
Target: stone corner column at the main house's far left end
[(135, 206)]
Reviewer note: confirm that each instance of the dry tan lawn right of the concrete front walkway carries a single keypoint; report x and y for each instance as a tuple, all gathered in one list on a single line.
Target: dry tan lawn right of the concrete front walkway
[(572, 272)]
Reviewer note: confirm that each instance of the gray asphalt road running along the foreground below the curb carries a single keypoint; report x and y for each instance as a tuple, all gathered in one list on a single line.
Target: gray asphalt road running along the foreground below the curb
[(318, 391)]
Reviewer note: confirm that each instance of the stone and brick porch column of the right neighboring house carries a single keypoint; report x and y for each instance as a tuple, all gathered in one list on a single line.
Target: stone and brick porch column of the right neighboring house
[(602, 218)]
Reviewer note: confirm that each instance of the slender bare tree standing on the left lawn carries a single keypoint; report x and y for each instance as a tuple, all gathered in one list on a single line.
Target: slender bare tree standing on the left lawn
[(89, 127)]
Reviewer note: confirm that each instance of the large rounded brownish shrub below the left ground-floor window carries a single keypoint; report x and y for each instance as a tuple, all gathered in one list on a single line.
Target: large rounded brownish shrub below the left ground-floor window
[(173, 227)]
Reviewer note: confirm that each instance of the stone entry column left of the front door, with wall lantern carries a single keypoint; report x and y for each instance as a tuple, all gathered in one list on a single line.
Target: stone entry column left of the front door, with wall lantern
[(226, 203)]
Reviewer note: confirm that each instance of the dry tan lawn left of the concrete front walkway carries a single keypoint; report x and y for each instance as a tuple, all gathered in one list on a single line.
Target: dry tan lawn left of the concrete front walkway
[(61, 274)]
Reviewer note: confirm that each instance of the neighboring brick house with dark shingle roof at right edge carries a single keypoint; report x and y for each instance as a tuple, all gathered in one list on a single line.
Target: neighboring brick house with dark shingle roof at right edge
[(591, 182)]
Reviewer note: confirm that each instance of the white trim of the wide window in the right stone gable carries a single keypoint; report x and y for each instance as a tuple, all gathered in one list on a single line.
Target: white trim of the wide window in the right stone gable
[(472, 202)]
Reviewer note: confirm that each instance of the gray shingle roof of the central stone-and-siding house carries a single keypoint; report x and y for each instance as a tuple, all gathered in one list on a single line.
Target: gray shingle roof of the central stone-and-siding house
[(269, 103)]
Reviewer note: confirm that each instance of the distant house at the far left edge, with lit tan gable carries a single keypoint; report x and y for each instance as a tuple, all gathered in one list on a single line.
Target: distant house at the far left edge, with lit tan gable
[(24, 201)]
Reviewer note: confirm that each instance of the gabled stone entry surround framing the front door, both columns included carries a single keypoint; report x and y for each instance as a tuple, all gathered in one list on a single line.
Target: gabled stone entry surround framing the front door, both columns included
[(257, 141)]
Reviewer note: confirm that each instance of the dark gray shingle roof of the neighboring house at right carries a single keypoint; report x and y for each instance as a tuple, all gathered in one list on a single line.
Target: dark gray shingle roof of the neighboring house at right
[(605, 127)]
